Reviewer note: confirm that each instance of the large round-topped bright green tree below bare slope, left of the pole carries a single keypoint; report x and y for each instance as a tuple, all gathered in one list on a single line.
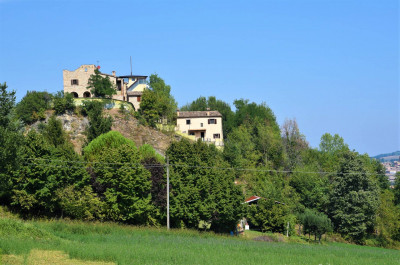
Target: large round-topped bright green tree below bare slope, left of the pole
[(120, 180)]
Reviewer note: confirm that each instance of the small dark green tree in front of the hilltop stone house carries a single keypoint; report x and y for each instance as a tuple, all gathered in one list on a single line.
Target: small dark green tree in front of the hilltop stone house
[(100, 86)]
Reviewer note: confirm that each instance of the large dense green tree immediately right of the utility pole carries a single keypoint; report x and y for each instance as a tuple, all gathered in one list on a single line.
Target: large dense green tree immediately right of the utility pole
[(199, 190)]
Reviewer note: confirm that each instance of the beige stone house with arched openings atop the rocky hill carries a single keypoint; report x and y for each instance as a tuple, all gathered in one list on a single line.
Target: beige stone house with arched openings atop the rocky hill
[(129, 87)]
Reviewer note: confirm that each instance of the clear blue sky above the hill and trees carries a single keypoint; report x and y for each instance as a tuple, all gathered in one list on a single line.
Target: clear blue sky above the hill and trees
[(332, 65)]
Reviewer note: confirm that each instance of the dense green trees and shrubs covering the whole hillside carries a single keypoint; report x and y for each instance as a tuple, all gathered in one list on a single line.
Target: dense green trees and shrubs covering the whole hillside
[(330, 188)]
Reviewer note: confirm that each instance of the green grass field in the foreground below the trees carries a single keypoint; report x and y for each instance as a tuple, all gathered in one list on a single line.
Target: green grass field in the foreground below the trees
[(66, 242)]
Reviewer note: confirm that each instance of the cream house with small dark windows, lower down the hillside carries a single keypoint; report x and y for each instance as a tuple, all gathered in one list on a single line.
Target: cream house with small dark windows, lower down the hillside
[(205, 125)]
